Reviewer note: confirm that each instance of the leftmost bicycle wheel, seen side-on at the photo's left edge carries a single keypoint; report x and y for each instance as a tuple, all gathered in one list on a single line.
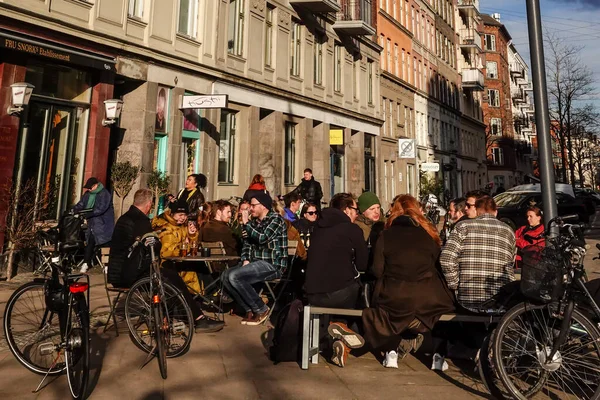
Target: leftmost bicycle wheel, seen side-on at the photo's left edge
[(32, 331)]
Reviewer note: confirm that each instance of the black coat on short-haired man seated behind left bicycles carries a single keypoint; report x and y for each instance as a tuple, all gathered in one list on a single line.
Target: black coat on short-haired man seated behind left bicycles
[(123, 271)]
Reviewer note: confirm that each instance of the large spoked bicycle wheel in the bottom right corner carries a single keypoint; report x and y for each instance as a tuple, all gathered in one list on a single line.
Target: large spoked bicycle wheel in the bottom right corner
[(523, 344)]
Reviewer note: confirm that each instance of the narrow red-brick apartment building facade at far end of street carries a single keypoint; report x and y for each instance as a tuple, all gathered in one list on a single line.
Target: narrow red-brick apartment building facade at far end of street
[(497, 109)]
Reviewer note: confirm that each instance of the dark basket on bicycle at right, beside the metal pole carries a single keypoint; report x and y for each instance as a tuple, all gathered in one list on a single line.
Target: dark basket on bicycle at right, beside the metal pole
[(542, 272)]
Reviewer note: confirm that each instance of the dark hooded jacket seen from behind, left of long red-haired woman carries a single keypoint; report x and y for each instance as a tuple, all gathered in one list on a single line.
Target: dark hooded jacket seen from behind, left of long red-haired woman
[(336, 255)]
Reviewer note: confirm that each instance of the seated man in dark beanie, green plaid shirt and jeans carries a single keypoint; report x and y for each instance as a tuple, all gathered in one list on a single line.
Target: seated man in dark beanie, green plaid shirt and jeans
[(264, 257)]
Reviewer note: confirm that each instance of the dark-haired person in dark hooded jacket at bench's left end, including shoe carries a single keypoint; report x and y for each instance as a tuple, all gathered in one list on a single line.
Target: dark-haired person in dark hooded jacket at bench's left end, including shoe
[(337, 253)]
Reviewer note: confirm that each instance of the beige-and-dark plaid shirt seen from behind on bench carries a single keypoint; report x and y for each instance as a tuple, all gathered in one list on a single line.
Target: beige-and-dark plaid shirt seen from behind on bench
[(478, 259)]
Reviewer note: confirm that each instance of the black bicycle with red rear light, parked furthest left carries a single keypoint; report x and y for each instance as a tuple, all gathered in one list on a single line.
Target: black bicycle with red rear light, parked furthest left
[(46, 323)]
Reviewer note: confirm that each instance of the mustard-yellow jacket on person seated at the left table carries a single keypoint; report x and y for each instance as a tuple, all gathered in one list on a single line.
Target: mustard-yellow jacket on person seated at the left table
[(171, 238)]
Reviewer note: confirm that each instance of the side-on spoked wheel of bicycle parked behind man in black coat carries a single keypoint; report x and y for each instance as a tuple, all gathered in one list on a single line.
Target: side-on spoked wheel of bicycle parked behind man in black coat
[(138, 316)]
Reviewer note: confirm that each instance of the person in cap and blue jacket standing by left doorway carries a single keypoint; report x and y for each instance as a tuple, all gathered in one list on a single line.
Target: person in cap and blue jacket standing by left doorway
[(100, 220)]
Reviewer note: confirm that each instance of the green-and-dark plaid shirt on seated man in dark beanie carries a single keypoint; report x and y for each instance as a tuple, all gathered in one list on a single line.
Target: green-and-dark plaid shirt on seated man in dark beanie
[(266, 240)]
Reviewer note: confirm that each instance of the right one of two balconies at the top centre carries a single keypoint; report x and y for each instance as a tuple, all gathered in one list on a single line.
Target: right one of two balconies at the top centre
[(355, 18)]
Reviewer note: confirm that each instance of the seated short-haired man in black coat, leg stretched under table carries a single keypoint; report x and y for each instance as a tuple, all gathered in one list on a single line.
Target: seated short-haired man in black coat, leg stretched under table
[(123, 271)]
